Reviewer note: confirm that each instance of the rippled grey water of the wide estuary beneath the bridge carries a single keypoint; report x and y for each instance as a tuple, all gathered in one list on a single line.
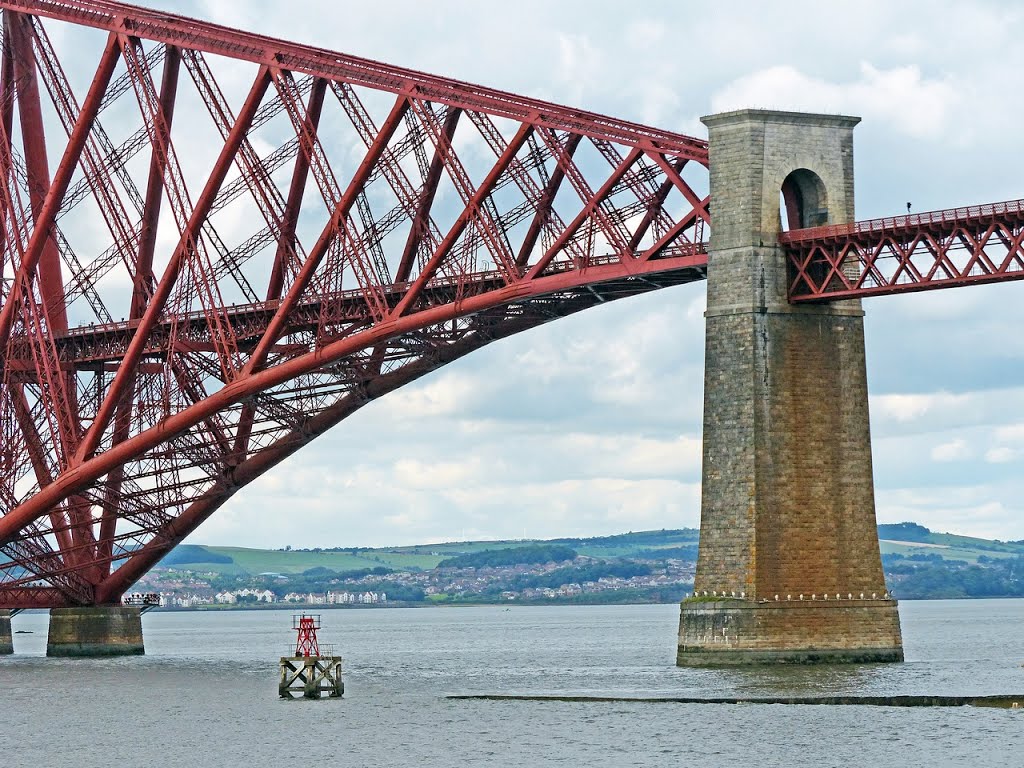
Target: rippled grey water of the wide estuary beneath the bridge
[(206, 695)]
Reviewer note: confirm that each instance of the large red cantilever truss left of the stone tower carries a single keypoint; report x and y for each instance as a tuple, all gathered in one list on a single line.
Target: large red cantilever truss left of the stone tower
[(290, 358)]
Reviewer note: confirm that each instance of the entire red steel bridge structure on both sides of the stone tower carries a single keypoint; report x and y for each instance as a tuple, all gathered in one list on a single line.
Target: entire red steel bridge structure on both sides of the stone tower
[(216, 246)]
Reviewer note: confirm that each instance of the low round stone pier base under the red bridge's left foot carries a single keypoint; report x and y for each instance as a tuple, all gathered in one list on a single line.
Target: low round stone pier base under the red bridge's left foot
[(115, 631)]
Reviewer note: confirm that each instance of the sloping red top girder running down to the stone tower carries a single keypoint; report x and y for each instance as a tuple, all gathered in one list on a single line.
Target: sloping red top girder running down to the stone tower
[(190, 33)]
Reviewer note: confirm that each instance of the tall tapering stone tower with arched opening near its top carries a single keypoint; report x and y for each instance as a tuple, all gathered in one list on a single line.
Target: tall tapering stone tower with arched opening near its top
[(789, 553)]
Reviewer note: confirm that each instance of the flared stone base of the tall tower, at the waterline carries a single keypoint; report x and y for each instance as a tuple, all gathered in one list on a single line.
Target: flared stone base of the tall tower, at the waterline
[(738, 632)]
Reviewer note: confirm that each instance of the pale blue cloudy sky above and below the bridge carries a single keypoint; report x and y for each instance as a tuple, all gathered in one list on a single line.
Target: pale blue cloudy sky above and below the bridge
[(592, 425)]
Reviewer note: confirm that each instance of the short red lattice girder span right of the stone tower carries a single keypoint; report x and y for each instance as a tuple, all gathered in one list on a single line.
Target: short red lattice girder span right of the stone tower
[(901, 254)]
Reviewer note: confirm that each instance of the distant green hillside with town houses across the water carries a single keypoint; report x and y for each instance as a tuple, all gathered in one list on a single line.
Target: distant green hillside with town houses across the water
[(646, 567)]
